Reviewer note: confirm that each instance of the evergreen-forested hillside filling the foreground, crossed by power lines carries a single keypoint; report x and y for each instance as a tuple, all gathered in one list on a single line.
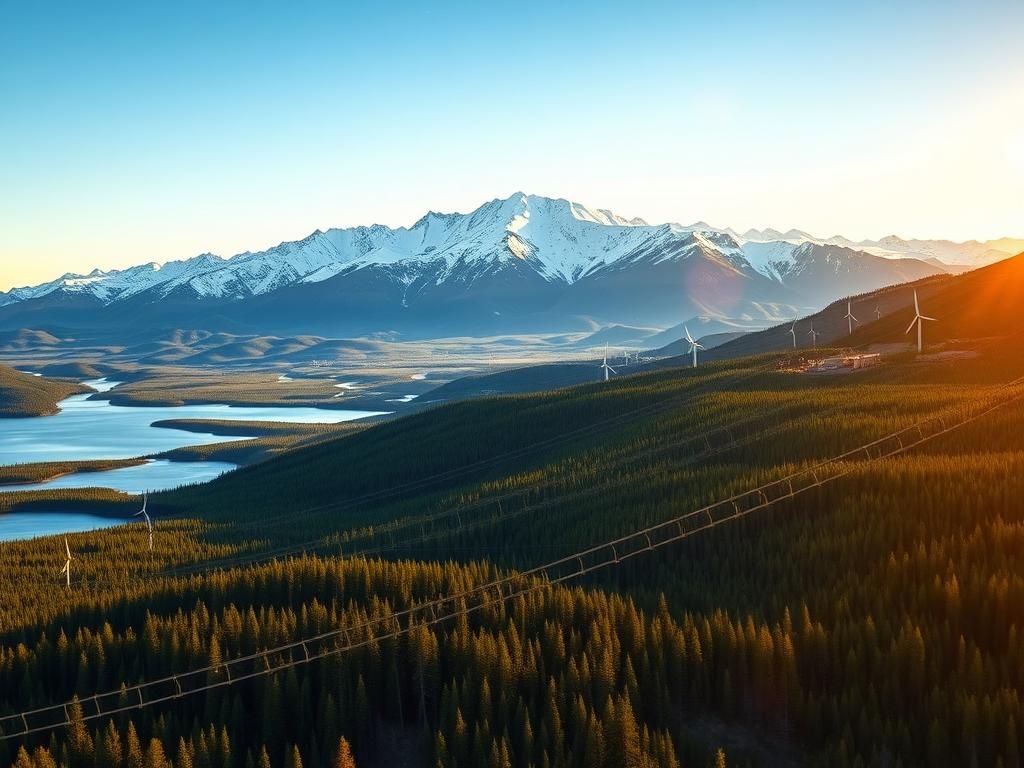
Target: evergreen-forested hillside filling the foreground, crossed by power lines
[(870, 618)]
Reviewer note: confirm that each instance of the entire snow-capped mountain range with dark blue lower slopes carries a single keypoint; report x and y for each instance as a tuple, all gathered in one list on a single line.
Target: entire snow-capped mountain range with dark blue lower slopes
[(526, 259)]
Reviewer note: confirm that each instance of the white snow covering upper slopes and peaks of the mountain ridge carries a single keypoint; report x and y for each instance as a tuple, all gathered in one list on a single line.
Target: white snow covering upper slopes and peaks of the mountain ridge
[(561, 240)]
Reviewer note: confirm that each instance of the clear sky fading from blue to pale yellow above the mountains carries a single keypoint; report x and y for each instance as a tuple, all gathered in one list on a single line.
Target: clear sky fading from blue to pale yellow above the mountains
[(152, 132)]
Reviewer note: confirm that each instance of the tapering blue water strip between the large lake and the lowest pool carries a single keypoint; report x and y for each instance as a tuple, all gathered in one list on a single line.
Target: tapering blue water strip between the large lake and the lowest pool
[(159, 475)]
